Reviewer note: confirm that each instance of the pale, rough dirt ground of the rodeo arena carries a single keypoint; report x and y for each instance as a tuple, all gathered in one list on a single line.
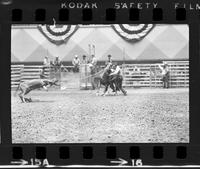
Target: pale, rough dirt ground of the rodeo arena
[(79, 116)]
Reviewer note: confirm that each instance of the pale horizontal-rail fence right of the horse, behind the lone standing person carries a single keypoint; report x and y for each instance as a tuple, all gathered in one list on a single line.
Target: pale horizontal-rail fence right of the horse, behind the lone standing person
[(149, 75)]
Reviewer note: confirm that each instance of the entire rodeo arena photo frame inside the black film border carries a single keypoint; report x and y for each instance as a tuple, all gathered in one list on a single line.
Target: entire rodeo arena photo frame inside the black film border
[(100, 83)]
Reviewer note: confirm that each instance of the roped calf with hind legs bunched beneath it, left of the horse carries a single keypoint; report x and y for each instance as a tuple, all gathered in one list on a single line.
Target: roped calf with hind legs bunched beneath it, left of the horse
[(27, 86)]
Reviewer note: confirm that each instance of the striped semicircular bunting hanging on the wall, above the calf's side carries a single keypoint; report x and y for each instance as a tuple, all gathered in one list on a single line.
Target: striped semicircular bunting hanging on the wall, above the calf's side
[(58, 34)]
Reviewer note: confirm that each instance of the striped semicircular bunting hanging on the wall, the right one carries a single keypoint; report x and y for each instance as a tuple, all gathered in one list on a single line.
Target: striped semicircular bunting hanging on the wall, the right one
[(132, 32)]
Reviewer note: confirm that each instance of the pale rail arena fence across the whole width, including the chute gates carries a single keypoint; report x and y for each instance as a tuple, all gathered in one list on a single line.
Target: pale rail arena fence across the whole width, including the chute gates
[(135, 75)]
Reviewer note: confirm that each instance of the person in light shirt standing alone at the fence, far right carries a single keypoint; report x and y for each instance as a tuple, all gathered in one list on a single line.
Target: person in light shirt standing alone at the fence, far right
[(165, 75)]
